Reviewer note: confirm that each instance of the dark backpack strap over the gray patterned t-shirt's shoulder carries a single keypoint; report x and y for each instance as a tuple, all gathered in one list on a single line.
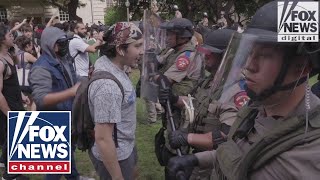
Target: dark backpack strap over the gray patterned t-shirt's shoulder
[(108, 75)]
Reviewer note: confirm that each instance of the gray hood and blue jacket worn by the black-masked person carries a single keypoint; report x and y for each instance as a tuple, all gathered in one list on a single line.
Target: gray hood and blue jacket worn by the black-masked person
[(40, 77)]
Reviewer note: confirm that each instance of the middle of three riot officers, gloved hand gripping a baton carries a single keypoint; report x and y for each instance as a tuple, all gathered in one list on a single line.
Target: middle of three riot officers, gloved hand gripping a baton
[(212, 119)]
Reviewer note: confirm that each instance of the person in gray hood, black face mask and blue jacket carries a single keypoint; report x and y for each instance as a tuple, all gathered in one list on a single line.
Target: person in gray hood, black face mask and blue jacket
[(53, 81)]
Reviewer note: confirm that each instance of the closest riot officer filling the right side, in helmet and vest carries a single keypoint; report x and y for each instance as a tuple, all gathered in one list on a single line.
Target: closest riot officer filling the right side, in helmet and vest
[(278, 131)]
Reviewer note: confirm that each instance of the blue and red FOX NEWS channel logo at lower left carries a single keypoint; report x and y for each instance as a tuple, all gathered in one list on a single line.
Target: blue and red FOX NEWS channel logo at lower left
[(39, 142)]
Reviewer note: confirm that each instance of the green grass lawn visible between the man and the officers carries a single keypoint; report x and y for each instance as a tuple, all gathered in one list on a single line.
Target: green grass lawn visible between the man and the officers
[(148, 166)]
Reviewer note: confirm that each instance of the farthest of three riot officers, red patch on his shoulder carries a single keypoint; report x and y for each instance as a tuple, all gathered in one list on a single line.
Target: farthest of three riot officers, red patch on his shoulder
[(180, 70)]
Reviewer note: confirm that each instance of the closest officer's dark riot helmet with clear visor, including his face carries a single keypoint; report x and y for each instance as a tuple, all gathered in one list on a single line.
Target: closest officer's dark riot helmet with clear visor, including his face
[(257, 51)]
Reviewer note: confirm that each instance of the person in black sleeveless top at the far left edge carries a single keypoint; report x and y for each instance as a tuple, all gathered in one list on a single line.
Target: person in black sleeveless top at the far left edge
[(11, 97)]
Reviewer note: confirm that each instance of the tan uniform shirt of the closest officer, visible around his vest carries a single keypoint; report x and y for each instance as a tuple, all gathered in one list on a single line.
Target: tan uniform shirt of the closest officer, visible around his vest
[(300, 163)]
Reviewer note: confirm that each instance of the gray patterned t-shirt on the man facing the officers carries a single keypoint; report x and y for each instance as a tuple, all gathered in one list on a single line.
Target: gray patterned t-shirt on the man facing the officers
[(106, 106)]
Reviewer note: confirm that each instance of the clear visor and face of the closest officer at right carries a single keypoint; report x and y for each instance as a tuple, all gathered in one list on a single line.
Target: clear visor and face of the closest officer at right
[(253, 64)]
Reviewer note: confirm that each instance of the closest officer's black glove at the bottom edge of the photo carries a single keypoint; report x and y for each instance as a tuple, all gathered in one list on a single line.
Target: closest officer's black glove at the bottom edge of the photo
[(182, 167)]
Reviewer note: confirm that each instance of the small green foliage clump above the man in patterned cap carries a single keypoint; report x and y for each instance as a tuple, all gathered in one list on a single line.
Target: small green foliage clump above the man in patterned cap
[(115, 14)]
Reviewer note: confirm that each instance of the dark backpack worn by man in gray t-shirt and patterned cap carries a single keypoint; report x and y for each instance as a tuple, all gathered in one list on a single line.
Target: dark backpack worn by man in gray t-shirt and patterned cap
[(82, 122)]
